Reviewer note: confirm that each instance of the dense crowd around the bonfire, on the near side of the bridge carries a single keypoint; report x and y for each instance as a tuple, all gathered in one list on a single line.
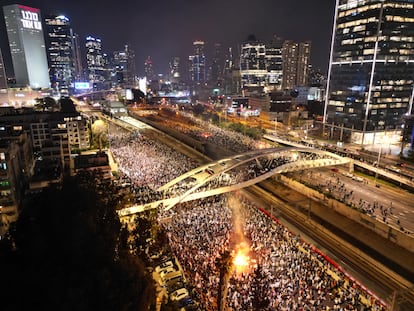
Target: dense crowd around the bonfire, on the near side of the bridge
[(293, 276)]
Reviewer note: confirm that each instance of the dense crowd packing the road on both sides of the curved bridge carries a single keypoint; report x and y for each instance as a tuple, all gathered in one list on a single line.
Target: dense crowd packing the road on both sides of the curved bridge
[(201, 231)]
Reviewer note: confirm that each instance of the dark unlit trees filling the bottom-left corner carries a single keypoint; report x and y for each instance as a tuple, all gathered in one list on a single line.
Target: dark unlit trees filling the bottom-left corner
[(68, 251)]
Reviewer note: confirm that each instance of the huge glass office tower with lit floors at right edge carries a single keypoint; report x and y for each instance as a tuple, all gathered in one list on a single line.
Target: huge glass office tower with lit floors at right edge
[(371, 70)]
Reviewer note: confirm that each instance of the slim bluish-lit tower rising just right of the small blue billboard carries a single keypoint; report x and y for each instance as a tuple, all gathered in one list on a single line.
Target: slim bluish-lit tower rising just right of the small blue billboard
[(95, 62)]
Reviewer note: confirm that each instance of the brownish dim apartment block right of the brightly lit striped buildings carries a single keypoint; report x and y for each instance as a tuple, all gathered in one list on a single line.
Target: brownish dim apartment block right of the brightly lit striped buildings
[(296, 61)]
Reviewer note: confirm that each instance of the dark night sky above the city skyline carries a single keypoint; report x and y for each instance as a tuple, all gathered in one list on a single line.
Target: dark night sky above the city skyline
[(165, 28)]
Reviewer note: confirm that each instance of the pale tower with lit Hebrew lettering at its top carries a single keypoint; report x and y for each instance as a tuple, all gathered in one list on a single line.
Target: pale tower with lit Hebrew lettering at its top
[(27, 45)]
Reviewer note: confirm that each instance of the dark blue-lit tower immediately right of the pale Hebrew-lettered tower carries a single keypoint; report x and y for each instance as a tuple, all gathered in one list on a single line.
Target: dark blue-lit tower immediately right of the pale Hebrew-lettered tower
[(60, 52)]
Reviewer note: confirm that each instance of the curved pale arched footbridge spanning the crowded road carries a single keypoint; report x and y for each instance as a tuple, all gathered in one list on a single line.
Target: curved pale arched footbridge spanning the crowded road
[(235, 173)]
